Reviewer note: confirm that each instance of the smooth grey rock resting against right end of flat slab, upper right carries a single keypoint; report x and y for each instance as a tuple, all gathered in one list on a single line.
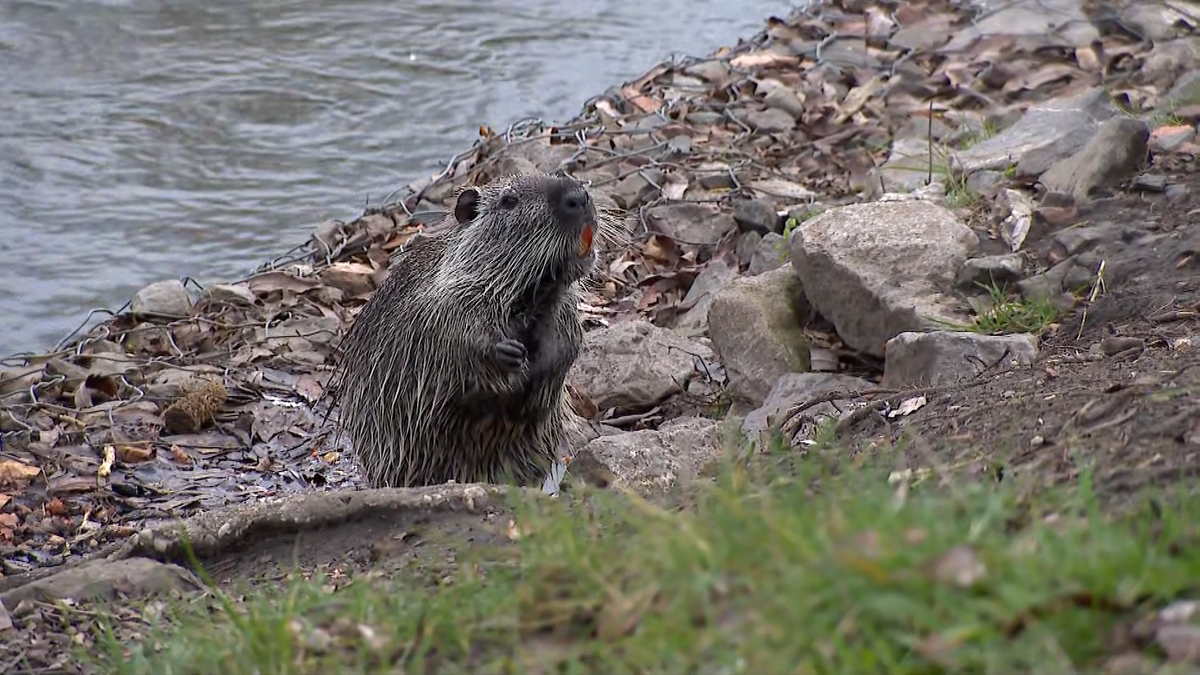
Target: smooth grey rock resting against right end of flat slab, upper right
[(1111, 157)]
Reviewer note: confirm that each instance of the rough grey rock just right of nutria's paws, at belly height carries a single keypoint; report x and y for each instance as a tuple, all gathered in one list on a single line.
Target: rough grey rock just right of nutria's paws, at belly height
[(635, 366)]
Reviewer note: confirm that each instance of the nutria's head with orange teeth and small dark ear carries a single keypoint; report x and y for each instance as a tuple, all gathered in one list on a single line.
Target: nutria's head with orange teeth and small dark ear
[(521, 232)]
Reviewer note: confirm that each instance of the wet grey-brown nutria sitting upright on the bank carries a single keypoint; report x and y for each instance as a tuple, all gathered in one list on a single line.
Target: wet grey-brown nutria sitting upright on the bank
[(455, 368)]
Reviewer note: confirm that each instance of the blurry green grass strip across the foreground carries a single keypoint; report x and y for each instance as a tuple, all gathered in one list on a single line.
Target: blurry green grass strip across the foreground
[(787, 564)]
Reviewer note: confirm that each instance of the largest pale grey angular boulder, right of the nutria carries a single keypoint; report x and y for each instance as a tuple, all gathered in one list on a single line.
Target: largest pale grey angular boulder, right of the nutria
[(879, 270)]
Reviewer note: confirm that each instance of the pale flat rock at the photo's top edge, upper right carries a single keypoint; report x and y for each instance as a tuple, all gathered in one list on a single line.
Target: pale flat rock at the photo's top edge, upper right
[(1061, 23)]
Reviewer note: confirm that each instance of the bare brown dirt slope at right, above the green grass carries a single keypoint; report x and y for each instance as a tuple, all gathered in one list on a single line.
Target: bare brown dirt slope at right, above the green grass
[(1117, 385)]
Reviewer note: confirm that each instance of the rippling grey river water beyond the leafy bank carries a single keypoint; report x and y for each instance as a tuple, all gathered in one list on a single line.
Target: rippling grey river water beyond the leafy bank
[(147, 140)]
